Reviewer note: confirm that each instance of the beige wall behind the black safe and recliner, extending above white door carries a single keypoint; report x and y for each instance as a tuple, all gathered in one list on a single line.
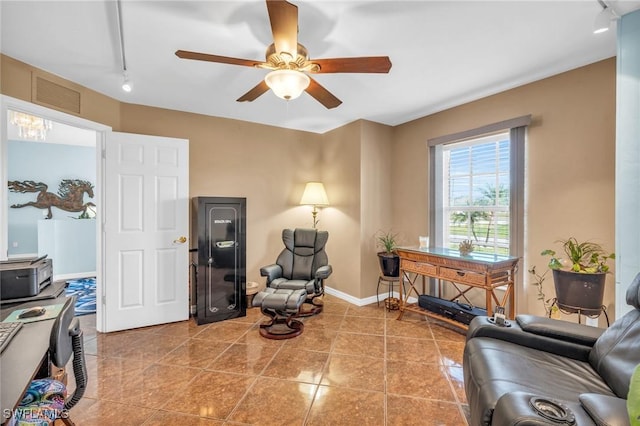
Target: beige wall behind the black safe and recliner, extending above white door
[(229, 158)]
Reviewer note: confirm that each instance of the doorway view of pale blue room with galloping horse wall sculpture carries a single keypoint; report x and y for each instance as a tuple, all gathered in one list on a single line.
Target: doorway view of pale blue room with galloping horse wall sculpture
[(51, 180)]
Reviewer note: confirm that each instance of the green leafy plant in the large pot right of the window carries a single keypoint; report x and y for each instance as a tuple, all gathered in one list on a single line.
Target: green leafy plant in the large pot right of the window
[(584, 257)]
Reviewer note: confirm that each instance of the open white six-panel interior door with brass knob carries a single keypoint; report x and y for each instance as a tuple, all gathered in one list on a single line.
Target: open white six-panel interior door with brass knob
[(146, 193)]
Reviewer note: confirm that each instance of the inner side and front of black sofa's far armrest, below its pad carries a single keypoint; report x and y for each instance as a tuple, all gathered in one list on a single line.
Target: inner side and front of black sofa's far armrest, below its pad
[(481, 327)]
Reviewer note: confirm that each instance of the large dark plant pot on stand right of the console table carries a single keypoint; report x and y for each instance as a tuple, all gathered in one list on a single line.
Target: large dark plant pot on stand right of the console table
[(577, 292)]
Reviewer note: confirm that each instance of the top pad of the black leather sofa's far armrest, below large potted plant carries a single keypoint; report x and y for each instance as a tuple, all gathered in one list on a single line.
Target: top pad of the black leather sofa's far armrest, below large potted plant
[(557, 329)]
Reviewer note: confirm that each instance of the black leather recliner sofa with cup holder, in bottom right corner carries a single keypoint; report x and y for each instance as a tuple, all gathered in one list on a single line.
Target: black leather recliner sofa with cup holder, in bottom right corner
[(539, 368)]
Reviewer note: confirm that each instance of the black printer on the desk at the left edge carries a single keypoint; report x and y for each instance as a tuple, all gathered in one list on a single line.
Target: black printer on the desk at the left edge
[(24, 277)]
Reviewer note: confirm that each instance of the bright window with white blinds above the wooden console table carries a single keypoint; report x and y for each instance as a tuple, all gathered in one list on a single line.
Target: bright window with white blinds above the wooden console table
[(476, 193)]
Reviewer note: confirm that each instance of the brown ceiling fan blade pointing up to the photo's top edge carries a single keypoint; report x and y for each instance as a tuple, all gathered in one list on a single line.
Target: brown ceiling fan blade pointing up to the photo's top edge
[(284, 26)]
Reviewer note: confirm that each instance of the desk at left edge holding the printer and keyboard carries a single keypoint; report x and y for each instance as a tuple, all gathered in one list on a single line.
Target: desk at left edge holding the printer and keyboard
[(21, 360)]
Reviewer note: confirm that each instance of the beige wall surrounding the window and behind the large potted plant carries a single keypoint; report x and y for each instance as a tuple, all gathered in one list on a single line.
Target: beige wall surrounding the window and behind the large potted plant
[(570, 164)]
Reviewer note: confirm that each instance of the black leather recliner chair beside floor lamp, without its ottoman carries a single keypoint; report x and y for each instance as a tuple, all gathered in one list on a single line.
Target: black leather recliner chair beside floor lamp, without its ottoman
[(302, 264)]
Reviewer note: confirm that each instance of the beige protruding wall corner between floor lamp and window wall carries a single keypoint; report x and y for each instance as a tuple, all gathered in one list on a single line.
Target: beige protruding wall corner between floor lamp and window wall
[(356, 169)]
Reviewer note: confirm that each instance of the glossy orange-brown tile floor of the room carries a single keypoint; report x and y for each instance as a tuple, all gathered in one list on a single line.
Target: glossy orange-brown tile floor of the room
[(351, 366)]
